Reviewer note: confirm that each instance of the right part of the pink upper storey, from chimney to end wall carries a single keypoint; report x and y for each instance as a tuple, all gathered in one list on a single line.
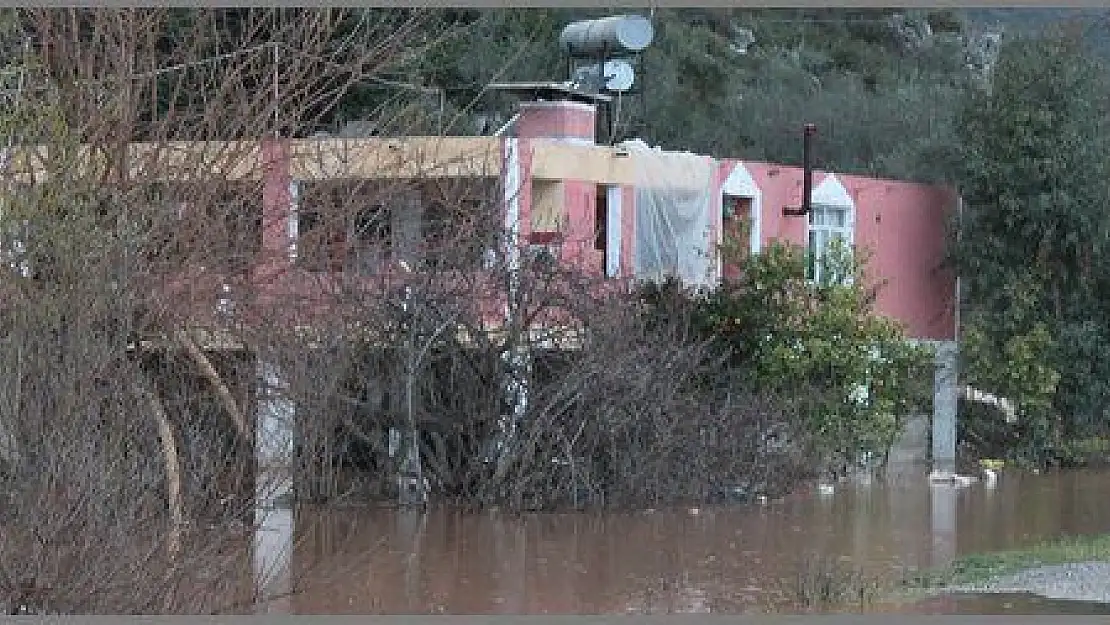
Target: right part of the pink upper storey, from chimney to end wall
[(567, 190)]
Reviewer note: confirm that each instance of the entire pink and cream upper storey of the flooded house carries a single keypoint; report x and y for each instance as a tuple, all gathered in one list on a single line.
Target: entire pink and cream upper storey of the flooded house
[(619, 213)]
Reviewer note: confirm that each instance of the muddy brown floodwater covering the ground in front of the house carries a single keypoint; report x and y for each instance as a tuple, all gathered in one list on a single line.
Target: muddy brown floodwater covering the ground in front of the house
[(735, 559)]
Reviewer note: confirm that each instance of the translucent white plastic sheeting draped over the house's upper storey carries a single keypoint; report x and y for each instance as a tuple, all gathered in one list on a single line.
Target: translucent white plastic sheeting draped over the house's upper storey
[(674, 215)]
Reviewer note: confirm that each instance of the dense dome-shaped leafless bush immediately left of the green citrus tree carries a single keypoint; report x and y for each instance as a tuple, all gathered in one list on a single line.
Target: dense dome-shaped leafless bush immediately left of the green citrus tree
[(642, 416)]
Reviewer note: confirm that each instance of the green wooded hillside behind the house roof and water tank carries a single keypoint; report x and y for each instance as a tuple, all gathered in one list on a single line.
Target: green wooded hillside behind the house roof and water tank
[(882, 99)]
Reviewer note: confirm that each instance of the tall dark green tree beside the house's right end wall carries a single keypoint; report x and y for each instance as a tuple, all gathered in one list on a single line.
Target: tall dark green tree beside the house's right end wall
[(1034, 248)]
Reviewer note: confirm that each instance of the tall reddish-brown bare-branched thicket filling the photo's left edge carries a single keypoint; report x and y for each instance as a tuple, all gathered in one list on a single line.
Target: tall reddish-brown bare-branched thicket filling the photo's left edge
[(126, 428)]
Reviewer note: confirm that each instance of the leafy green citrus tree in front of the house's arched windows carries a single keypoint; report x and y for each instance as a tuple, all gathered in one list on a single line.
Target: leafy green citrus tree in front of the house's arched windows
[(852, 375)]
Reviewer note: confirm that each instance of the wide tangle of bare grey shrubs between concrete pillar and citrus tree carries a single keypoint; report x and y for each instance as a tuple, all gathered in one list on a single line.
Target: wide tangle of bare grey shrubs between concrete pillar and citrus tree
[(617, 411)]
